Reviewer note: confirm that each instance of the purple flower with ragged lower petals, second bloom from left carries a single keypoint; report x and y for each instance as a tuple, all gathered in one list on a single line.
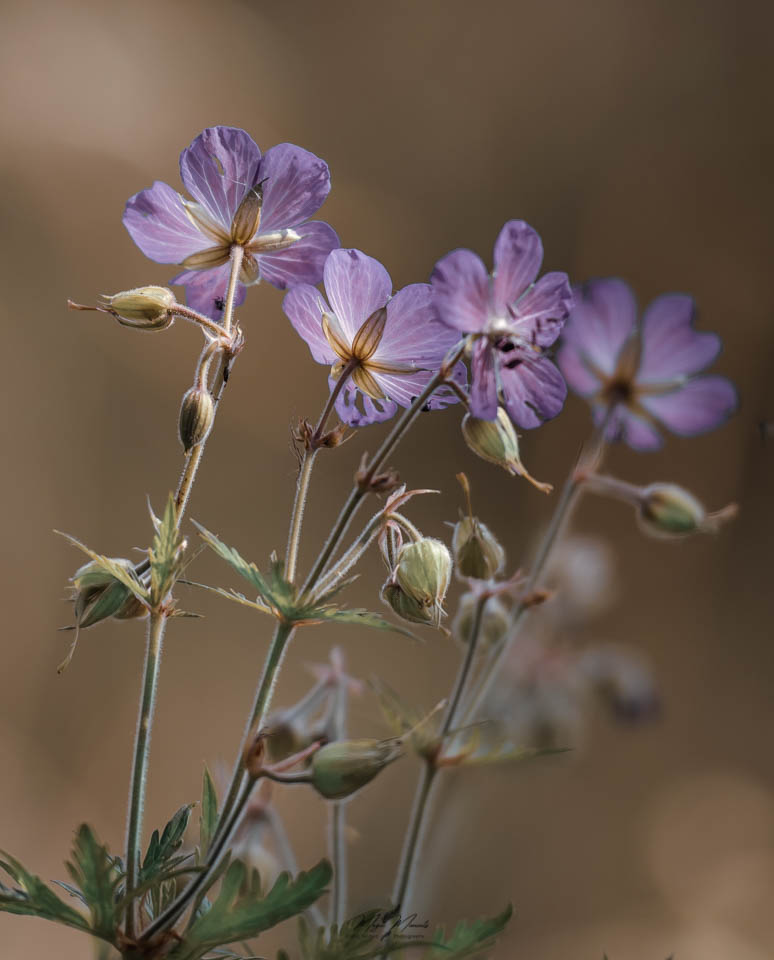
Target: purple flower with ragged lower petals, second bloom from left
[(393, 346)]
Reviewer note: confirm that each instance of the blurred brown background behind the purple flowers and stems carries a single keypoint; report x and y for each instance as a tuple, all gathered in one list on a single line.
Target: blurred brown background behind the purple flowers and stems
[(637, 138)]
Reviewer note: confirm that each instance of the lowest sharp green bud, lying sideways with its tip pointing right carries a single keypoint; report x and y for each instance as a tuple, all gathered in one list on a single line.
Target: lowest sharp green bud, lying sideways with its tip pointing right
[(340, 769)]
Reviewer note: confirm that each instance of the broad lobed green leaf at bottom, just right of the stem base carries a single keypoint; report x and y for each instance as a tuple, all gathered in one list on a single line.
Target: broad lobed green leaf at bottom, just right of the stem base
[(240, 913)]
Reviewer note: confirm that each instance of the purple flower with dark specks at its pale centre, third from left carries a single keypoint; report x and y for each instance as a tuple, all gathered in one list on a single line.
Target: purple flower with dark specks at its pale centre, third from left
[(511, 319)]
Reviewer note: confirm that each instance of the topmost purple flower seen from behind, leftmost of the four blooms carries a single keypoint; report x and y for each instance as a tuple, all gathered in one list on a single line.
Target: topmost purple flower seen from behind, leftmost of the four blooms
[(262, 203)]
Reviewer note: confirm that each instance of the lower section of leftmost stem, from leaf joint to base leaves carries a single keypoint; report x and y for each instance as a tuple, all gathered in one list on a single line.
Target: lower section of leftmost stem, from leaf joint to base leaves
[(156, 627)]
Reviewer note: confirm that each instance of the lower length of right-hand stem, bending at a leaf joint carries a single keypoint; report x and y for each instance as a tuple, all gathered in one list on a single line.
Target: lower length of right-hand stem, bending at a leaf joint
[(419, 813)]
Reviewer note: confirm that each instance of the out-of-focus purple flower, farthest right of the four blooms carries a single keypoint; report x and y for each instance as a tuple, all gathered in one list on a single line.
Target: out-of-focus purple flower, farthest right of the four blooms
[(645, 372)]
